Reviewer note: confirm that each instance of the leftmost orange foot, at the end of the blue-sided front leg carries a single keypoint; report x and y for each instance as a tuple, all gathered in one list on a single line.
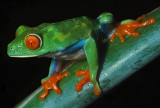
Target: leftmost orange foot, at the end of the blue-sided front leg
[(51, 83)]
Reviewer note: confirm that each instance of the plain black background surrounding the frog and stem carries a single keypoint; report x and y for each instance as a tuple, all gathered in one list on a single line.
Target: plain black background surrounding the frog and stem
[(20, 77)]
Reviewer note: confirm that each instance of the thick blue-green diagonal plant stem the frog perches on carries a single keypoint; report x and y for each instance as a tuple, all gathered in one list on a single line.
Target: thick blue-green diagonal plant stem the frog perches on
[(122, 60)]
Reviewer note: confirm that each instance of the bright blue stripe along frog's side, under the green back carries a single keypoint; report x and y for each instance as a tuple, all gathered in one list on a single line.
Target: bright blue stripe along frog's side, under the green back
[(80, 44)]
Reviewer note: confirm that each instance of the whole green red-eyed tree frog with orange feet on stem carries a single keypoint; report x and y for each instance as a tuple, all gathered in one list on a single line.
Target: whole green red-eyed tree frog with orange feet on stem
[(70, 40)]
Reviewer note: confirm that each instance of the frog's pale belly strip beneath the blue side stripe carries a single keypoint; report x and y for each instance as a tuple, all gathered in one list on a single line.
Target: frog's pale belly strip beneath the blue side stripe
[(75, 55)]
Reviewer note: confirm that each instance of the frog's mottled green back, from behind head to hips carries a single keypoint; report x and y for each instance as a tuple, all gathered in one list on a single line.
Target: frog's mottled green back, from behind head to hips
[(69, 32)]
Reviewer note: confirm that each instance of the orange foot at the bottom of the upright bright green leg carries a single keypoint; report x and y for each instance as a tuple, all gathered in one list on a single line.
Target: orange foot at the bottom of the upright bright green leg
[(86, 78)]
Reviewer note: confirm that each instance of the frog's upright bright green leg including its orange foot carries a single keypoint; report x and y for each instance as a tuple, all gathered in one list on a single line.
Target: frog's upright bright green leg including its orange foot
[(90, 74)]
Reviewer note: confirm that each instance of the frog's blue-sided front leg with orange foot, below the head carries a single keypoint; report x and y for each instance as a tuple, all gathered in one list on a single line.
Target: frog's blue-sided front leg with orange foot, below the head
[(55, 74)]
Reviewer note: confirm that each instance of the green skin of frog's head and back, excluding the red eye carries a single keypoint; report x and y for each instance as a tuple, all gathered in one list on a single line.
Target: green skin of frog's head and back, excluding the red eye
[(55, 36)]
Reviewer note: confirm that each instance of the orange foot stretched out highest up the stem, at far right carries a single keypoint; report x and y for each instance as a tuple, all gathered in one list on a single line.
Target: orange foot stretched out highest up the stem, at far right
[(128, 28)]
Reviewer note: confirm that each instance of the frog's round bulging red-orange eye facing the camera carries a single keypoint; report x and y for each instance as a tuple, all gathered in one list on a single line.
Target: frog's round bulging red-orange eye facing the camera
[(32, 42)]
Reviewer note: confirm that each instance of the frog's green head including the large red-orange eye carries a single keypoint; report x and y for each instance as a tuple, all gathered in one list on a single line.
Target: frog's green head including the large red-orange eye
[(29, 42)]
